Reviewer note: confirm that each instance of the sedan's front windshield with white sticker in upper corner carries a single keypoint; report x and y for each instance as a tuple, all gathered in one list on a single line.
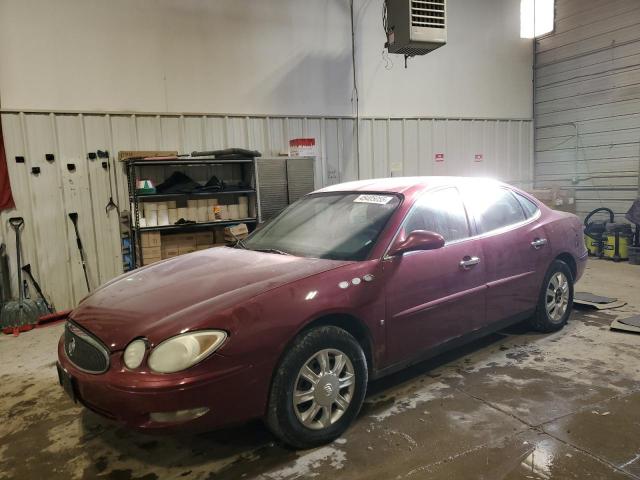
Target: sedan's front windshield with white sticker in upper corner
[(337, 226)]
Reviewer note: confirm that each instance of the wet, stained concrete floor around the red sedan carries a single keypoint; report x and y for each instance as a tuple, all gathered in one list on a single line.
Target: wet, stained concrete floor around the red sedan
[(515, 405)]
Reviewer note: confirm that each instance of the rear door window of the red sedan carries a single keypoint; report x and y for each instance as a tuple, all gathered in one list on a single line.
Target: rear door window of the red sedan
[(494, 208)]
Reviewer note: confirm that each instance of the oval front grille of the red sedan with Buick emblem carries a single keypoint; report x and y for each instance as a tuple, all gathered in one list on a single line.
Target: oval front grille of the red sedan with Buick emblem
[(85, 351)]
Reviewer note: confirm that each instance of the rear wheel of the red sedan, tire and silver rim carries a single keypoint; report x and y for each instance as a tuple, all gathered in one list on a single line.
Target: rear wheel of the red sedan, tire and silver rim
[(555, 302)]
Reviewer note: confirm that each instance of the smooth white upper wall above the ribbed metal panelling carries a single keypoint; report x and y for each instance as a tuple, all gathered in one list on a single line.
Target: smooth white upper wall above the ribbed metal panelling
[(256, 57)]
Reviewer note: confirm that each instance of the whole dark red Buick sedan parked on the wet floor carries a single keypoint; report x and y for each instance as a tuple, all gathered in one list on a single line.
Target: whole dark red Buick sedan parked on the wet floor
[(350, 283)]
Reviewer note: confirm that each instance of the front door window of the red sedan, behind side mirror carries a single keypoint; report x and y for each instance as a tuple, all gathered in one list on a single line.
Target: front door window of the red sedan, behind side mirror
[(441, 212)]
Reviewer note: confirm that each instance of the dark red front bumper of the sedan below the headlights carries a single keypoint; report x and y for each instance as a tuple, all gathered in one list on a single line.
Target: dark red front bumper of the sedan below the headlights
[(233, 393)]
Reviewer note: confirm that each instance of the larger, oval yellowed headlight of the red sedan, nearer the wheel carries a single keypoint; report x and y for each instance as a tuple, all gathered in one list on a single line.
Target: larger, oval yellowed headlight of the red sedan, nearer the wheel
[(183, 351)]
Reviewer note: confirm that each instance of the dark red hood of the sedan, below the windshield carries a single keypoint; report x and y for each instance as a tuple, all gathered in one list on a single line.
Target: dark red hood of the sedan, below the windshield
[(180, 293)]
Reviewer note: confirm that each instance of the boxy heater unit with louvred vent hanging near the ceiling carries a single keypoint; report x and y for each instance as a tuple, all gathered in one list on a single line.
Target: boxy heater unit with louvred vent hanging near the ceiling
[(415, 27)]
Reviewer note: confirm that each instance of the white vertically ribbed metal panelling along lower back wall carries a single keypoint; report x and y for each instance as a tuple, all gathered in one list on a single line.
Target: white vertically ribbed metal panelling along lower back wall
[(387, 147)]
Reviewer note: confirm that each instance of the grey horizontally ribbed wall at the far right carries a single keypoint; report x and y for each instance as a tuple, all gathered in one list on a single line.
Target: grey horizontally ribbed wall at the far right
[(587, 103)]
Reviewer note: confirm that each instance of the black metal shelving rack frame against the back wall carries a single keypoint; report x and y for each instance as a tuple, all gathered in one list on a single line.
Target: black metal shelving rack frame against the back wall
[(133, 167)]
